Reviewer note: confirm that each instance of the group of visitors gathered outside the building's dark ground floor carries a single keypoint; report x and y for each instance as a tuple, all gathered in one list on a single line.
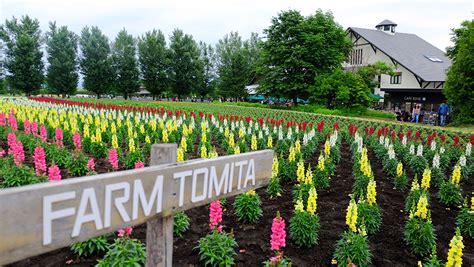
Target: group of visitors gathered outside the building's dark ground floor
[(419, 115)]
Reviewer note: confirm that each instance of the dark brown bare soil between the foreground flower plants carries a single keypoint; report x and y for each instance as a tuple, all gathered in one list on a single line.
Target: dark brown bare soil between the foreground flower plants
[(388, 246)]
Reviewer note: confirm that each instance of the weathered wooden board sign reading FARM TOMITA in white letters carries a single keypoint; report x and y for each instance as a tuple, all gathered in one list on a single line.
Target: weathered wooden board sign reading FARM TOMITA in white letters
[(43, 217)]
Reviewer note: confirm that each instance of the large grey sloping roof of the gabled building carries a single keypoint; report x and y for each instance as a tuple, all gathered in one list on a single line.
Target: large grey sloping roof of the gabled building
[(410, 51)]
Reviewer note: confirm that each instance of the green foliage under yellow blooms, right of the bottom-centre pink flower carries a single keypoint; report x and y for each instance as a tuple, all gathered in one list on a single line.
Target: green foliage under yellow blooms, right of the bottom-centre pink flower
[(304, 228)]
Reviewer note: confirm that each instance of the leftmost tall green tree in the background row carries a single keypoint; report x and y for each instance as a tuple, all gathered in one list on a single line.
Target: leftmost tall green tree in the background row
[(23, 56)]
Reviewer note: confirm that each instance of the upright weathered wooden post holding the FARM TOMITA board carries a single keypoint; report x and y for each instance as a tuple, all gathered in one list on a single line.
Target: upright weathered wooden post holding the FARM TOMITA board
[(159, 231)]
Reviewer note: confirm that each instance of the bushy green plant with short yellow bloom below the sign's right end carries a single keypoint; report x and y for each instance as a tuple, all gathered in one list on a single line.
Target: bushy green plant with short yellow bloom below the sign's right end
[(248, 207)]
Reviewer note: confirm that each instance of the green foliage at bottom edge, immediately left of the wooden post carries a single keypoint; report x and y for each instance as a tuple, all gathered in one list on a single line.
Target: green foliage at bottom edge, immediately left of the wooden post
[(124, 252)]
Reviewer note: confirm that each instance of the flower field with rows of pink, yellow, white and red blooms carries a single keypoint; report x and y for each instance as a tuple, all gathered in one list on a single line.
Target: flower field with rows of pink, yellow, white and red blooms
[(342, 191)]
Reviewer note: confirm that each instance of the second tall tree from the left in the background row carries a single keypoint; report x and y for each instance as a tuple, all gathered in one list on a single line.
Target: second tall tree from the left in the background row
[(62, 76)]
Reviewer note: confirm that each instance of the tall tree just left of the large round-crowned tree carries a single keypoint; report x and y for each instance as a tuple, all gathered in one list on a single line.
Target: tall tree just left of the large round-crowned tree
[(236, 59)]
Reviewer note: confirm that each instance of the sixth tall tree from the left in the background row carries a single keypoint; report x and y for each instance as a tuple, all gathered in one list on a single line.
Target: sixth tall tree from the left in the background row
[(186, 68)]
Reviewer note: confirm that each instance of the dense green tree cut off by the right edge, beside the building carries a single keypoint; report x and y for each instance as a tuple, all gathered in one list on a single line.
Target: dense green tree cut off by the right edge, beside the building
[(460, 81)]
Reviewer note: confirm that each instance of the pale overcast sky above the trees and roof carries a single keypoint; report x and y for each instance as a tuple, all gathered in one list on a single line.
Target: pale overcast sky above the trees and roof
[(209, 20)]
